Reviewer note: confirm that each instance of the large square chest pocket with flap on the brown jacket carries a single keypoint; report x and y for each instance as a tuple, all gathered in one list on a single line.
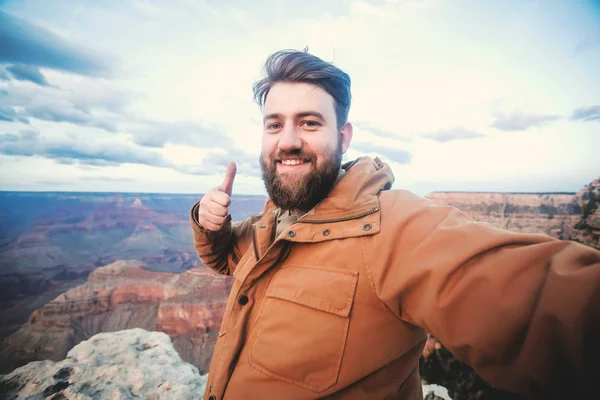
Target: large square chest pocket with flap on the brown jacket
[(302, 325)]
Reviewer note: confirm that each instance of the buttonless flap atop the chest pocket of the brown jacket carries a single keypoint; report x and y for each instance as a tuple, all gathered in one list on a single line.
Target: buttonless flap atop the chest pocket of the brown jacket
[(326, 289)]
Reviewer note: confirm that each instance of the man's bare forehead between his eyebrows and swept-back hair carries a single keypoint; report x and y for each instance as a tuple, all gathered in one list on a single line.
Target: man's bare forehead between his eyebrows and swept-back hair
[(286, 98)]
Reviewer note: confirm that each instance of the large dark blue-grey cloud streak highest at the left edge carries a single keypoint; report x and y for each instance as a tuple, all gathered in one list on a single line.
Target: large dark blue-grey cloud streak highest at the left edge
[(29, 44)]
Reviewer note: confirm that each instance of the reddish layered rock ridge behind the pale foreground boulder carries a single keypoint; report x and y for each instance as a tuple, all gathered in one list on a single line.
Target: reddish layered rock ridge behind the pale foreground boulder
[(123, 295)]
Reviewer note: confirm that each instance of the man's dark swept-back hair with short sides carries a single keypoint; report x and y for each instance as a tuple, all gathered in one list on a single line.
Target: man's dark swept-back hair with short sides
[(300, 66)]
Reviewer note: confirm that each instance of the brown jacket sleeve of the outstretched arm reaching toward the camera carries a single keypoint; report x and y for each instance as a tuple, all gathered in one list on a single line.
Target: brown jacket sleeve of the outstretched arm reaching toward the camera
[(522, 309)]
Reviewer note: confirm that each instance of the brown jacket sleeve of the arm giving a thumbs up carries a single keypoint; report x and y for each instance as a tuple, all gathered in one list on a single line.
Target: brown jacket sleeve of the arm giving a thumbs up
[(222, 250)]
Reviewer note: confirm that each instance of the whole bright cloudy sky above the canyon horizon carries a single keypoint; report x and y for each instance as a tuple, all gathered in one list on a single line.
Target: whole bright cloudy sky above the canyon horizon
[(156, 96)]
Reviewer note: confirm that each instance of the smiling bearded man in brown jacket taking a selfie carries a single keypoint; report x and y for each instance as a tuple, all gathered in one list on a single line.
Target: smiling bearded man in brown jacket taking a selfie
[(339, 278)]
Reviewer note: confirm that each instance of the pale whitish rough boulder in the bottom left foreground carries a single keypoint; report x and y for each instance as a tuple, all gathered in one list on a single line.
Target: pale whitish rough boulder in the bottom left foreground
[(118, 365)]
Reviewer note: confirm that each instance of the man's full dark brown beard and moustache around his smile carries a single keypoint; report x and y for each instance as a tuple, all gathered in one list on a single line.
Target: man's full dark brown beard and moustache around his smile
[(309, 189)]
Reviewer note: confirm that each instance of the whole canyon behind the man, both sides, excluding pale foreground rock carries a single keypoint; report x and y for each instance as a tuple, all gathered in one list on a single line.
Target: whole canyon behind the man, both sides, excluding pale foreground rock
[(104, 263)]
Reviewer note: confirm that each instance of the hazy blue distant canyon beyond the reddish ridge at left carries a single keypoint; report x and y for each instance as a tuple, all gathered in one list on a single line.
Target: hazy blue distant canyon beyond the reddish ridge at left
[(51, 241)]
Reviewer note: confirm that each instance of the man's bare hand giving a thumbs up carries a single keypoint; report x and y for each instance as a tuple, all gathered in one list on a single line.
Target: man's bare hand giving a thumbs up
[(214, 206)]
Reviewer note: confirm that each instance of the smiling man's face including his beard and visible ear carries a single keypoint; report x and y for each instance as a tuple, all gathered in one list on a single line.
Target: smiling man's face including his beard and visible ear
[(302, 147)]
